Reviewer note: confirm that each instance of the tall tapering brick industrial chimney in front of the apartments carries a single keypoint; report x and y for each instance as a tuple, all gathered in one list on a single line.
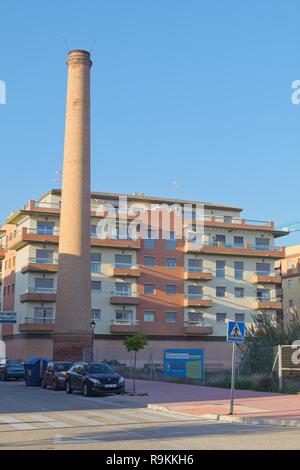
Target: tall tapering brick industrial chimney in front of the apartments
[(73, 302)]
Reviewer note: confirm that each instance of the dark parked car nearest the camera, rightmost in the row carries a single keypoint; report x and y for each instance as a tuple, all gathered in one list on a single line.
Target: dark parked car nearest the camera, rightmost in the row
[(94, 378)]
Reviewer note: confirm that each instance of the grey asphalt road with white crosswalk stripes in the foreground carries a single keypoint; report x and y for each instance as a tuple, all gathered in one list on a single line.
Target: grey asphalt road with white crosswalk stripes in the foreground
[(32, 418)]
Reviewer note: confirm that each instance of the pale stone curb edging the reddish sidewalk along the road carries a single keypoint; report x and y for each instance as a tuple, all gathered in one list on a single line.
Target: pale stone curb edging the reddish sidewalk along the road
[(234, 419)]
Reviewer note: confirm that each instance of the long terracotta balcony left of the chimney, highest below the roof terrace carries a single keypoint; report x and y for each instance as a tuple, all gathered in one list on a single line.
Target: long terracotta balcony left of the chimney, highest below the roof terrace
[(32, 235)]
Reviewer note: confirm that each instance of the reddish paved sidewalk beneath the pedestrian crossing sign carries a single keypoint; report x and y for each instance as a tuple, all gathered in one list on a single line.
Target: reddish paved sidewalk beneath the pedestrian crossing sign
[(213, 403)]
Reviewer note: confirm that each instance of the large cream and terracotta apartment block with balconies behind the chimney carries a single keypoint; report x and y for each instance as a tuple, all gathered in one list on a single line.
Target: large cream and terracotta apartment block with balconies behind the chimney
[(179, 294)]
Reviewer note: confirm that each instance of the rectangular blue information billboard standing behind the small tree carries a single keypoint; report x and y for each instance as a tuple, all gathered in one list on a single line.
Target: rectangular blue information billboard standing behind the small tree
[(188, 363)]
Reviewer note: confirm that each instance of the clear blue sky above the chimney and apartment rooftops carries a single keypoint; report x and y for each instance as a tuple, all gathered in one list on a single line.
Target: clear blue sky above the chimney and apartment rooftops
[(195, 91)]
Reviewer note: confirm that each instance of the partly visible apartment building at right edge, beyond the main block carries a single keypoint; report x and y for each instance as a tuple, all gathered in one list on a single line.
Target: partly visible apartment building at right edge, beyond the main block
[(289, 269)]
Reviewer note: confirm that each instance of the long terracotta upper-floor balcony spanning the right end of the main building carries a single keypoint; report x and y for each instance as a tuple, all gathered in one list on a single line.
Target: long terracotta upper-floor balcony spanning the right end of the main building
[(236, 249)]
